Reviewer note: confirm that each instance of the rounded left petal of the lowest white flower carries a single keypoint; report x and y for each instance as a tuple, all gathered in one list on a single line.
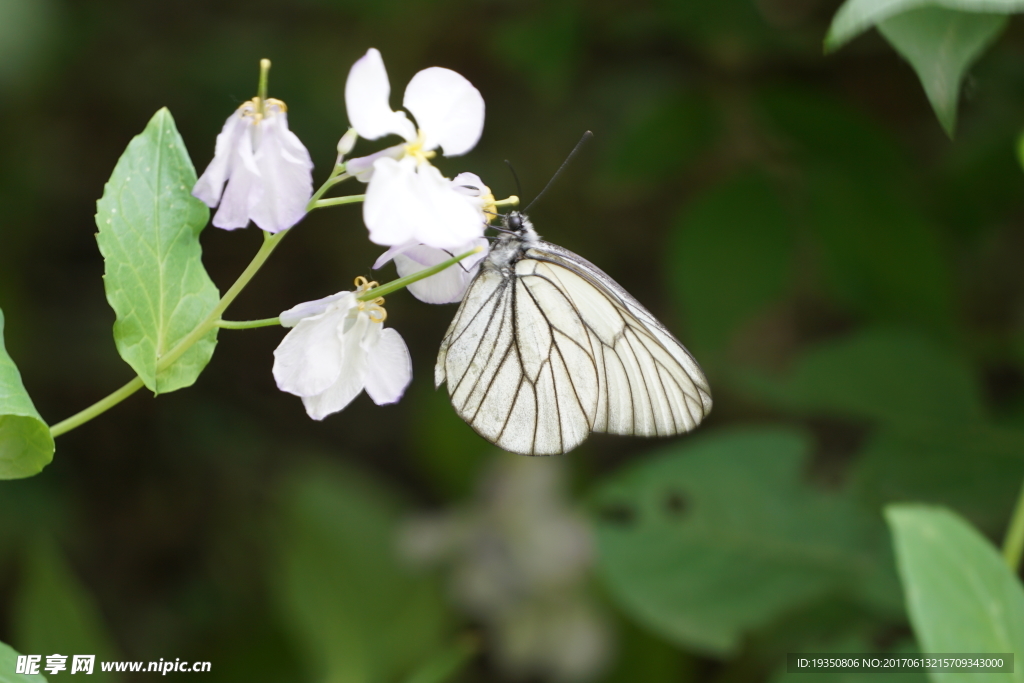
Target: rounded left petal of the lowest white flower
[(310, 360)]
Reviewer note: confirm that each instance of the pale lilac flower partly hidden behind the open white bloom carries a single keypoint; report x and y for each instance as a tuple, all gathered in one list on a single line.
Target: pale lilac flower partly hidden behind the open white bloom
[(450, 285)]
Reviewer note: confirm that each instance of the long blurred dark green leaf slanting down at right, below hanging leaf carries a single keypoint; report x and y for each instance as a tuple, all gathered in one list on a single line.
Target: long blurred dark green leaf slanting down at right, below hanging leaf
[(882, 257)]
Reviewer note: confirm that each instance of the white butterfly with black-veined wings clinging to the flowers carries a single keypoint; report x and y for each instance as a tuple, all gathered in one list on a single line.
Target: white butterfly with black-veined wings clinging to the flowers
[(547, 349)]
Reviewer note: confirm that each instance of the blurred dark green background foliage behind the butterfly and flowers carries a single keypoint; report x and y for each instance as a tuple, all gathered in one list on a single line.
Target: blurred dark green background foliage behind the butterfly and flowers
[(849, 278)]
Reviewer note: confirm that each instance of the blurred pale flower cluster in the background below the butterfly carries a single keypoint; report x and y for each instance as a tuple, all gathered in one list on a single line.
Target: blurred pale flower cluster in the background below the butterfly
[(521, 558)]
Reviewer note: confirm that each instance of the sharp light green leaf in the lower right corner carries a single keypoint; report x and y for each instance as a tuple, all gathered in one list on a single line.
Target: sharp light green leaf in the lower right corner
[(960, 593)]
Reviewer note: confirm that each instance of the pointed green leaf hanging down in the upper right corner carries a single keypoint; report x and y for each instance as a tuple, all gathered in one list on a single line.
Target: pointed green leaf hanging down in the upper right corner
[(942, 45)]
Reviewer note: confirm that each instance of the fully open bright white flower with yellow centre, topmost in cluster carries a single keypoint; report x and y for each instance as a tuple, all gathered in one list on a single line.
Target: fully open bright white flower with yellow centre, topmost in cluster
[(408, 199)]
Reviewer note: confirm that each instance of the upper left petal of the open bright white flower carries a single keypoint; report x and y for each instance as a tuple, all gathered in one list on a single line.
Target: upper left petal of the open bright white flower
[(367, 94)]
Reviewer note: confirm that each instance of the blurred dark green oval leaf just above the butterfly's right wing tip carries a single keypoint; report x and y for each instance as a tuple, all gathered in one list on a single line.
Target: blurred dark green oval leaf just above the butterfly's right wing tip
[(732, 257)]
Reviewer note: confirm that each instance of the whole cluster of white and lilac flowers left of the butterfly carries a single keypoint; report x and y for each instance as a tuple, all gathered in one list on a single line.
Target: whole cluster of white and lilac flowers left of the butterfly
[(262, 173)]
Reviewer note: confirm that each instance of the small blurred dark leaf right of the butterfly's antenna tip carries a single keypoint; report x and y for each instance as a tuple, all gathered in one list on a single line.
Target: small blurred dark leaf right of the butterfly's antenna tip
[(662, 139)]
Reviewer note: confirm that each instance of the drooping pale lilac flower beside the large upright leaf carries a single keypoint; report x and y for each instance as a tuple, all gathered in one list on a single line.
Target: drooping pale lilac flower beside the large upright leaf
[(268, 170)]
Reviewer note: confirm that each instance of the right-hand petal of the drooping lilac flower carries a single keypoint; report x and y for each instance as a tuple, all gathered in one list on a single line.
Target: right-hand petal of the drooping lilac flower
[(287, 174)]
